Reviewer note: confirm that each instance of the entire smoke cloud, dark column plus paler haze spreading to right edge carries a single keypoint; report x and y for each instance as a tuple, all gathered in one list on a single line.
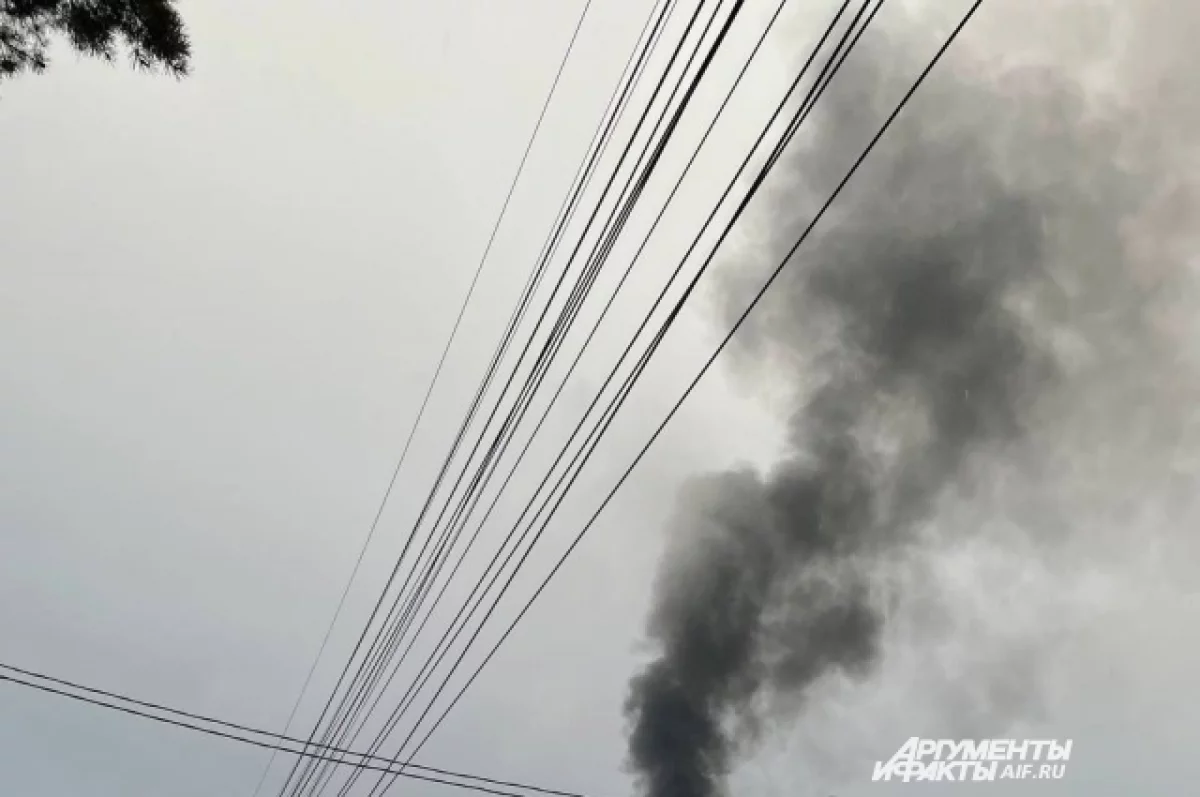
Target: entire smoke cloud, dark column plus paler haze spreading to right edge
[(1000, 302)]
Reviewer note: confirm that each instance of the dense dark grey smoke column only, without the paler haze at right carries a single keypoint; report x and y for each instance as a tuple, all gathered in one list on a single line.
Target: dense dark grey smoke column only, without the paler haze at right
[(907, 328)]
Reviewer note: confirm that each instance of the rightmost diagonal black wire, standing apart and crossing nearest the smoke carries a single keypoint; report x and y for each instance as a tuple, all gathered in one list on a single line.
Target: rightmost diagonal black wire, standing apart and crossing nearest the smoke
[(712, 359)]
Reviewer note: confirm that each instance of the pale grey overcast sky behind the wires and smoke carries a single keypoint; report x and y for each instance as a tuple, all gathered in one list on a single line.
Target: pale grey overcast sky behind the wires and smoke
[(223, 299)]
